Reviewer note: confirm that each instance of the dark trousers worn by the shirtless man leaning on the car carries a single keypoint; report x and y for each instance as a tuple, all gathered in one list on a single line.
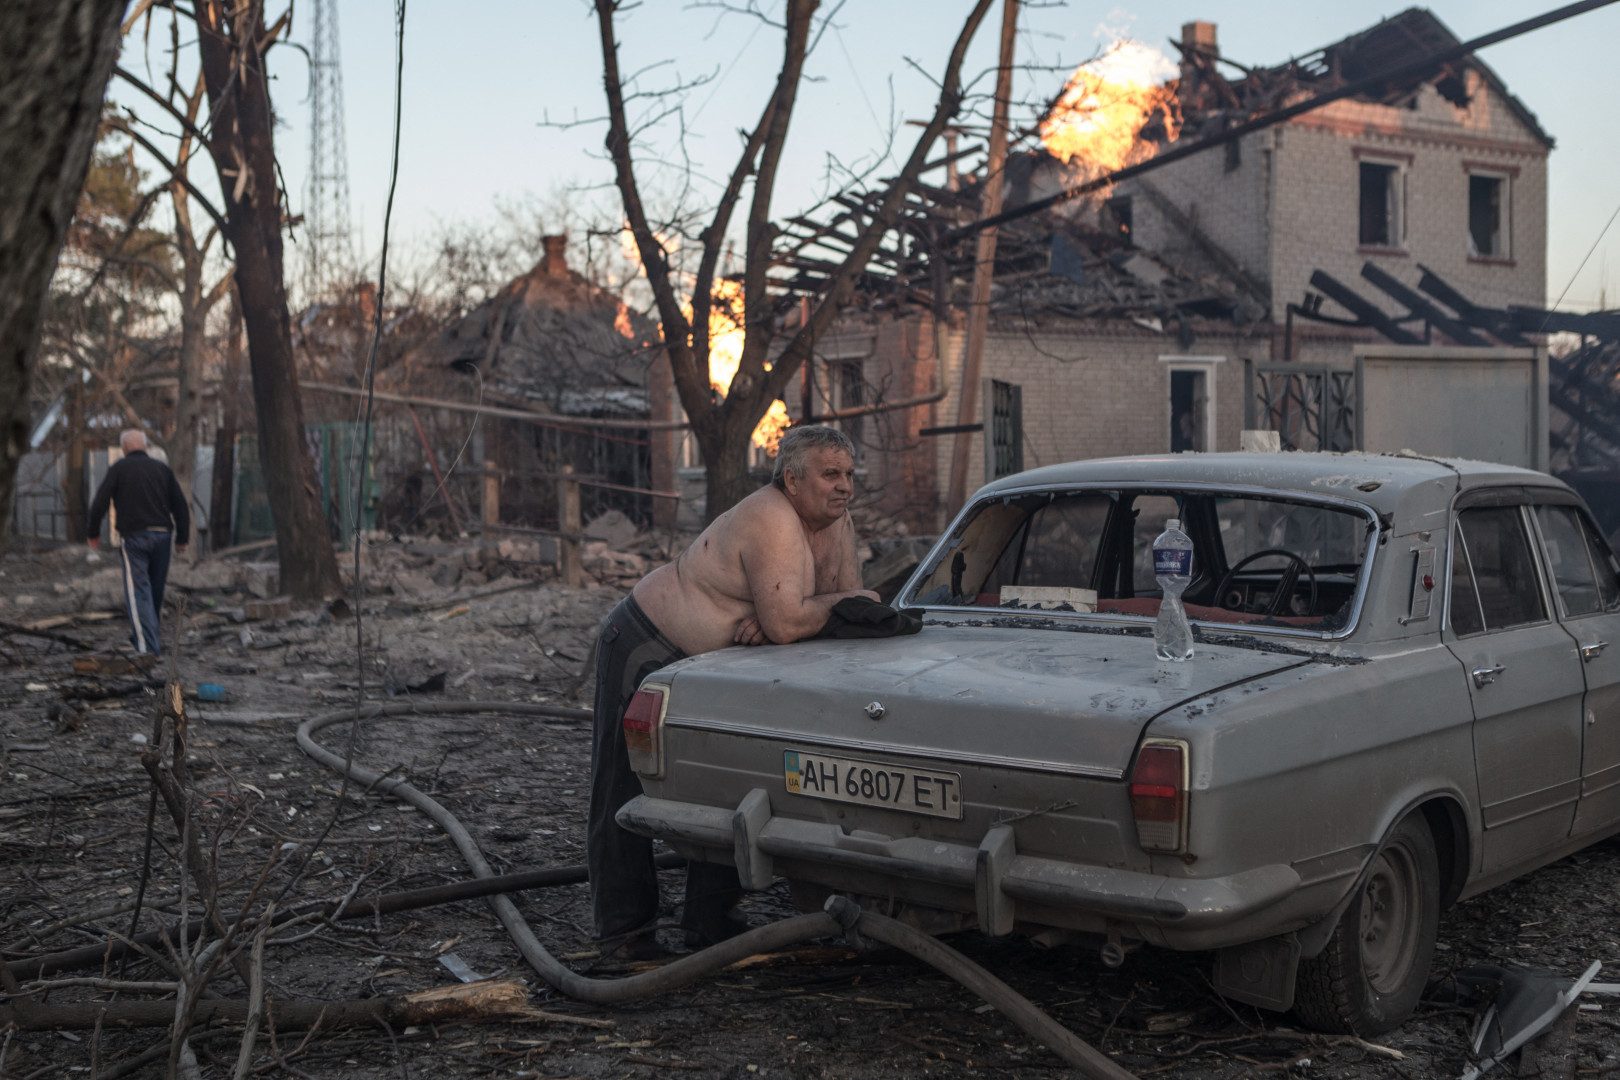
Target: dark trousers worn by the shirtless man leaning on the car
[(625, 885)]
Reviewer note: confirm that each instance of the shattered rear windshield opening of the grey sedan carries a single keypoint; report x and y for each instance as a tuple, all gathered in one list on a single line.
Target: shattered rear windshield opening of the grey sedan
[(1256, 561)]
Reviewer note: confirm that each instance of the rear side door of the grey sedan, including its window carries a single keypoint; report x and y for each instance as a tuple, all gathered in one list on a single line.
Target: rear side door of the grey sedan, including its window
[(1525, 682)]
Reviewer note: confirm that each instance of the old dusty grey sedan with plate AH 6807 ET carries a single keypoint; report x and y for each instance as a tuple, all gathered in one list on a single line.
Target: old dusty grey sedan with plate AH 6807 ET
[(1400, 695)]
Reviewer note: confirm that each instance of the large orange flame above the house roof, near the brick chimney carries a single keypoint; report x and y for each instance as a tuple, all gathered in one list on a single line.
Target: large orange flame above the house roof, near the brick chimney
[(1104, 108)]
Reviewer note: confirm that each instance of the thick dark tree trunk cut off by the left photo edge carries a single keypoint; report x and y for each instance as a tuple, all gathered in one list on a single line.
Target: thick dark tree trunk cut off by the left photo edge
[(56, 57)]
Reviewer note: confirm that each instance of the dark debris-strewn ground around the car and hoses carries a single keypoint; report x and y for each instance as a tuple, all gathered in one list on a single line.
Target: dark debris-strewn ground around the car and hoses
[(467, 623)]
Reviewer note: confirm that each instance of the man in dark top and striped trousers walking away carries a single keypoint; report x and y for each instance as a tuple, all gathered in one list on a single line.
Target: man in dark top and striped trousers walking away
[(150, 511)]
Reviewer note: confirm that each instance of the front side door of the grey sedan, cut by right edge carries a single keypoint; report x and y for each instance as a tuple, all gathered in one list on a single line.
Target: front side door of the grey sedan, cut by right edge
[(1587, 587)]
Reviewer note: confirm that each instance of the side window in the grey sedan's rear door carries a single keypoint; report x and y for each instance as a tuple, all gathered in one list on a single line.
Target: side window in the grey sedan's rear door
[(1494, 553)]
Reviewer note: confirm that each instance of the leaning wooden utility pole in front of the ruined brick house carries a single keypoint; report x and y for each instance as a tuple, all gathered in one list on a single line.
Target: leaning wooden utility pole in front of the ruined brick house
[(984, 268)]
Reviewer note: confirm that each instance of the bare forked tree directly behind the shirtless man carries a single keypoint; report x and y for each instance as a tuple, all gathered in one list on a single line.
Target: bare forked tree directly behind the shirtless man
[(725, 428)]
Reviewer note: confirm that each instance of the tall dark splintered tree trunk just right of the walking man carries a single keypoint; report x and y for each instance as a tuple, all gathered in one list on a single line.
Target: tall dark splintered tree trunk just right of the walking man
[(245, 156)]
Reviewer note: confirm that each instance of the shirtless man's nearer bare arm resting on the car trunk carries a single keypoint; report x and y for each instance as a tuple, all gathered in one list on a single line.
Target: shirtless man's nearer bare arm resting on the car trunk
[(780, 569)]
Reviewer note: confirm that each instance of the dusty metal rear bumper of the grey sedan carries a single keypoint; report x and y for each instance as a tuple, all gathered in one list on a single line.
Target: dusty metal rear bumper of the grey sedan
[(994, 874)]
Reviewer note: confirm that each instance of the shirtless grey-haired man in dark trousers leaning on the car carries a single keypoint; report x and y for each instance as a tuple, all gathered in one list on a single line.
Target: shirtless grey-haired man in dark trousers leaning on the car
[(769, 571)]
